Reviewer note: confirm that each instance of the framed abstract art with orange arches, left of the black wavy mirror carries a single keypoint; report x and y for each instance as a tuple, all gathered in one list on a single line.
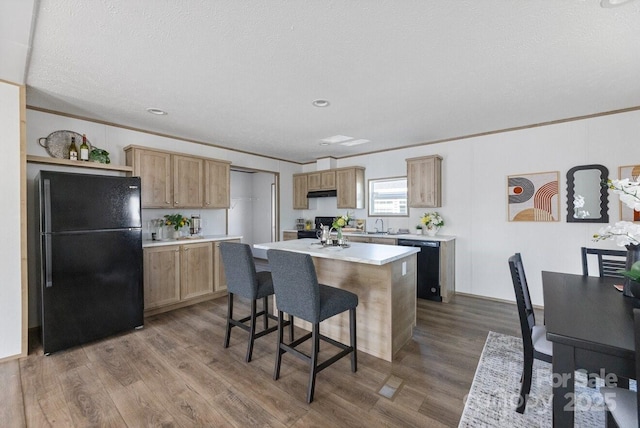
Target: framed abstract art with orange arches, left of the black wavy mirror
[(533, 197)]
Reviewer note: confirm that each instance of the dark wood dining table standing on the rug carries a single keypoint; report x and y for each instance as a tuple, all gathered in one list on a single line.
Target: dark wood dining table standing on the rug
[(590, 324)]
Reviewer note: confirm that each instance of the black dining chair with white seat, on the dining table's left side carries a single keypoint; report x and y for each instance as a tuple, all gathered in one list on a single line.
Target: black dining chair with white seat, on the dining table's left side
[(534, 337)]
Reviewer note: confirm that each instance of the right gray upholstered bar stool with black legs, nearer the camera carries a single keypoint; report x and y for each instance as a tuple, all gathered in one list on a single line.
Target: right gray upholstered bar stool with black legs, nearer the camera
[(298, 294)]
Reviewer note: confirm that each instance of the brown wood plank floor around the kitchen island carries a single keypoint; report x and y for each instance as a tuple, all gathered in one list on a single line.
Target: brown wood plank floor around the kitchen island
[(175, 372)]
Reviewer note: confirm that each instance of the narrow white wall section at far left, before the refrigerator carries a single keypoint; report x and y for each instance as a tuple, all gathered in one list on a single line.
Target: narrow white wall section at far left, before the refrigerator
[(10, 256)]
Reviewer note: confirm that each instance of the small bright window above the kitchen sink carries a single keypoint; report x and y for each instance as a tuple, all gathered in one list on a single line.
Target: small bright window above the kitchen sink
[(388, 197)]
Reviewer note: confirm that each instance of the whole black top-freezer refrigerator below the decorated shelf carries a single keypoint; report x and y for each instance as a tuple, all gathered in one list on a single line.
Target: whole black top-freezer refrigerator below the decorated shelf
[(90, 257)]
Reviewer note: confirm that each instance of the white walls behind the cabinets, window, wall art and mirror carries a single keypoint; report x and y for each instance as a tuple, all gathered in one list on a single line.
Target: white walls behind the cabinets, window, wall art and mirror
[(474, 200)]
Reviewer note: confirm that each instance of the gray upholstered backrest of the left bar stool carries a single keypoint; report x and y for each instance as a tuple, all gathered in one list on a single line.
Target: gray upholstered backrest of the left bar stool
[(239, 269)]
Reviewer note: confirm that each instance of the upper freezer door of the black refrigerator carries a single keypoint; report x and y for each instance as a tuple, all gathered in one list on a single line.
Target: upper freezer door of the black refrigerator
[(79, 202)]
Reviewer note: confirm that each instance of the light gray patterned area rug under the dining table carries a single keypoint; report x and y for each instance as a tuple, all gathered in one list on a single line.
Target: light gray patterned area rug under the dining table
[(493, 396)]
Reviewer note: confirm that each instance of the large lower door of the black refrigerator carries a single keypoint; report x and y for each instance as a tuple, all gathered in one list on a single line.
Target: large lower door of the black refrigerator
[(91, 286)]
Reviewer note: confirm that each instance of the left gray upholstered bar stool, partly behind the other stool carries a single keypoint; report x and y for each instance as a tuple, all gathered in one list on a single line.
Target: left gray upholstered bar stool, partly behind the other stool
[(243, 280)]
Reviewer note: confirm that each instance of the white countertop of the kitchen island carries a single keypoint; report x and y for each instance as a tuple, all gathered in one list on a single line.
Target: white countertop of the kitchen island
[(373, 254)]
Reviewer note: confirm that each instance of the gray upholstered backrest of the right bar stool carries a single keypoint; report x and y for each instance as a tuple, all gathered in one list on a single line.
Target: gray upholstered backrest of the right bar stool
[(295, 284)]
